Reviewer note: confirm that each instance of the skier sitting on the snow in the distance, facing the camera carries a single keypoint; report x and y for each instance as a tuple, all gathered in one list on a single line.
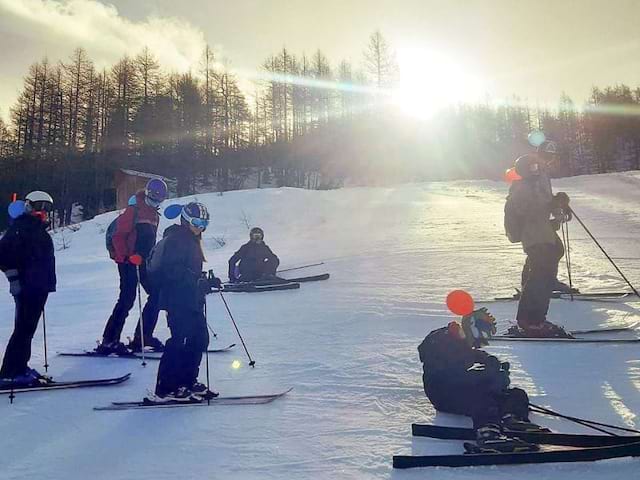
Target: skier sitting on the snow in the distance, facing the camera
[(257, 261)]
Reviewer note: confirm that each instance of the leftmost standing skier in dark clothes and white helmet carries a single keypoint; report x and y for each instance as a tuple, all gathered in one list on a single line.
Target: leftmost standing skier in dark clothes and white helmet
[(27, 259)]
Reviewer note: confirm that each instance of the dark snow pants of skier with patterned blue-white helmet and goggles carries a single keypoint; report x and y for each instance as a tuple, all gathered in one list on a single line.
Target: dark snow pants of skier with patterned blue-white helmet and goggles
[(180, 362)]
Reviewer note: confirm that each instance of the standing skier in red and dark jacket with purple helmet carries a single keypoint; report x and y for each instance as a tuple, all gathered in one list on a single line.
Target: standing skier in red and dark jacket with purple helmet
[(134, 236)]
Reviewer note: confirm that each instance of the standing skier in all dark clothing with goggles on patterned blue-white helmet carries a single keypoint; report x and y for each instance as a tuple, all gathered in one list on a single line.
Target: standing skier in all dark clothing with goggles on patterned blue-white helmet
[(176, 268)]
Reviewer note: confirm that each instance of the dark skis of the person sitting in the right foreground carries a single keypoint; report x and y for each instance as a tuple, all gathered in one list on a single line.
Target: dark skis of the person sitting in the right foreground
[(555, 447)]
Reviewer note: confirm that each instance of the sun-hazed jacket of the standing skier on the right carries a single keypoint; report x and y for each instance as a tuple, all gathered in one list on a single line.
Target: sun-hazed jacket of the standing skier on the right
[(532, 199)]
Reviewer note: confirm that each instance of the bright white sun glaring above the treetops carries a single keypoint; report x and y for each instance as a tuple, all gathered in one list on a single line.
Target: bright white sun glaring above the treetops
[(430, 81)]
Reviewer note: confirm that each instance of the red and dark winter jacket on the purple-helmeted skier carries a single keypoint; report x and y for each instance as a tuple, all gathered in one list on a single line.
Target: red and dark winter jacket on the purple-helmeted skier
[(136, 230)]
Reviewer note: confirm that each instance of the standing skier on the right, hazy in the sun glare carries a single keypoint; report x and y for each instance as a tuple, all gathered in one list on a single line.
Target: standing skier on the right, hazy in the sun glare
[(537, 215)]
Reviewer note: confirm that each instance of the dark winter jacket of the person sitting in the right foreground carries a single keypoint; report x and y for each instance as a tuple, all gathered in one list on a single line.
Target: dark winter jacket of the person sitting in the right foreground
[(447, 359)]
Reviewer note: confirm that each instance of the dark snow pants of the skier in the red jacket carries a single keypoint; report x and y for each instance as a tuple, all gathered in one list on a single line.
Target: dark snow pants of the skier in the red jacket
[(126, 299)]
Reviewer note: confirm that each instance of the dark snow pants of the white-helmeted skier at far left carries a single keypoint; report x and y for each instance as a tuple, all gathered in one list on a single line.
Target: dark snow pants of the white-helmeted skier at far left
[(29, 307)]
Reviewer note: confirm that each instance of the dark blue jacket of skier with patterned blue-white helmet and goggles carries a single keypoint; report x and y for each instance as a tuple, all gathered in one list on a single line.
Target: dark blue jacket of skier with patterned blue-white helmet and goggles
[(180, 268)]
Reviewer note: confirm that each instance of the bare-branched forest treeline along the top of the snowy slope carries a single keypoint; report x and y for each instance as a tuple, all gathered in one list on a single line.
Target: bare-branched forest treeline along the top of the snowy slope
[(303, 121)]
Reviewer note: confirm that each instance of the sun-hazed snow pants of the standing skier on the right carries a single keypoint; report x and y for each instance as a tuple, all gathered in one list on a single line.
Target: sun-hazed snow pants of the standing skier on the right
[(538, 283)]
